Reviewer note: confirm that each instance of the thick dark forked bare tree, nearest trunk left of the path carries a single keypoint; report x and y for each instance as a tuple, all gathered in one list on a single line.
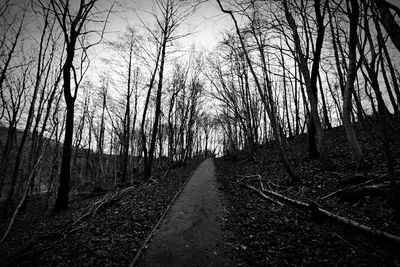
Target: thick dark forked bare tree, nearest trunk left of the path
[(73, 24)]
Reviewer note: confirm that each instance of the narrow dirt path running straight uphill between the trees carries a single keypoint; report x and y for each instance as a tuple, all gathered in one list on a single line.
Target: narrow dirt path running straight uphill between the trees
[(190, 234)]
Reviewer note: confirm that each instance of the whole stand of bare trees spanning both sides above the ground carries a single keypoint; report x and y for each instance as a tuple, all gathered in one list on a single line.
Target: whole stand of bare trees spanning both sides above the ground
[(286, 68)]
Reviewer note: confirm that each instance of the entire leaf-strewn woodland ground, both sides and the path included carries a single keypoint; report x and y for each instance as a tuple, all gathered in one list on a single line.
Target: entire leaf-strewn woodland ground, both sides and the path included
[(221, 222)]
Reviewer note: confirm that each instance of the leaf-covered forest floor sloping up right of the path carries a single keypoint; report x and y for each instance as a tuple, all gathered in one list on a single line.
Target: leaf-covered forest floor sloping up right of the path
[(261, 232)]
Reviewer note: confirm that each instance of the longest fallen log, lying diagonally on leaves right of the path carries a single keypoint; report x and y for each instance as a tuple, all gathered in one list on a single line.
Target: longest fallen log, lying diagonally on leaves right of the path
[(316, 210)]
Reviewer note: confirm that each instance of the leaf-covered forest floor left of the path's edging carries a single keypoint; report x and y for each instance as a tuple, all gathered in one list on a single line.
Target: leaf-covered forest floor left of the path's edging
[(106, 230)]
